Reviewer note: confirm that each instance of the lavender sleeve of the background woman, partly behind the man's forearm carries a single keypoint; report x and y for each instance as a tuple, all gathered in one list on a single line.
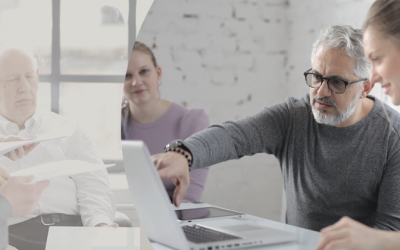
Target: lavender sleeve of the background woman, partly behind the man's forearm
[(193, 121)]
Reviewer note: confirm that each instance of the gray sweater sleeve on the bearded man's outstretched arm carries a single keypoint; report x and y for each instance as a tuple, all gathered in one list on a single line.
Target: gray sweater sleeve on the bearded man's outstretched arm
[(263, 132)]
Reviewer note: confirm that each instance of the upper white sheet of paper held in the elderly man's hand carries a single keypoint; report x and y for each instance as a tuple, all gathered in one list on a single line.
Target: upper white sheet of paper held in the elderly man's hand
[(61, 132)]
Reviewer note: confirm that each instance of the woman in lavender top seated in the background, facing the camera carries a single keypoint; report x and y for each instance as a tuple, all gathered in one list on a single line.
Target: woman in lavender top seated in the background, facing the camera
[(147, 117)]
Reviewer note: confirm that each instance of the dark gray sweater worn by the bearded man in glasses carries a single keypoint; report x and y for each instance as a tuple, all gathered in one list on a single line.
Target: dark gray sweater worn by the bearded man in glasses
[(328, 172)]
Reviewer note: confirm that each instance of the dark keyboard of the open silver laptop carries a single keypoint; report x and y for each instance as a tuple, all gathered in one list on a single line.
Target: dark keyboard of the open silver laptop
[(199, 234)]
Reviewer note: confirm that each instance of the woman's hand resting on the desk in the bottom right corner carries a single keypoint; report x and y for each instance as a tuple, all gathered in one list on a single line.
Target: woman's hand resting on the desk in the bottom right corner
[(350, 234)]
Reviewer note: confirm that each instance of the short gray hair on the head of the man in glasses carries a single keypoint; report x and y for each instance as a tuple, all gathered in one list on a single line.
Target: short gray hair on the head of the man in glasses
[(350, 41)]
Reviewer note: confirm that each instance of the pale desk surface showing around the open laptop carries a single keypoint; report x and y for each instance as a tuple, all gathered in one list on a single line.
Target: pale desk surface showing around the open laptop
[(306, 239)]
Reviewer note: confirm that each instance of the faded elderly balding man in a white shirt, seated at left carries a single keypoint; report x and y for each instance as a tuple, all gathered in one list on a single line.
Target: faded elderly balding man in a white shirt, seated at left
[(86, 195)]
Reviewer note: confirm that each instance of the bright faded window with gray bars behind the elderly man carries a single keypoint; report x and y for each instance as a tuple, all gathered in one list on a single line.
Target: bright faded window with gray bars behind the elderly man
[(82, 49)]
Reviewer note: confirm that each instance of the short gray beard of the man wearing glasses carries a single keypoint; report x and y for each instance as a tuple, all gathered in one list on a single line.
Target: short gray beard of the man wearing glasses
[(340, 116)]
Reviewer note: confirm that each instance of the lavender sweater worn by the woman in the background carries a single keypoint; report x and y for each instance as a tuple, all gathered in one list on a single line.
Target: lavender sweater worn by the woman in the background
[(177, 123)]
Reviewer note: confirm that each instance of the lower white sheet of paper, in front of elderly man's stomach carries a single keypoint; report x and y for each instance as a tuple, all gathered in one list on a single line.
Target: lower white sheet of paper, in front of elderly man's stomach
[(50, 170)]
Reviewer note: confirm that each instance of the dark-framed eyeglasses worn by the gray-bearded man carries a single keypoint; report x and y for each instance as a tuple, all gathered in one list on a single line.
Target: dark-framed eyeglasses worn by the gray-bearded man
[(336, 85)]
